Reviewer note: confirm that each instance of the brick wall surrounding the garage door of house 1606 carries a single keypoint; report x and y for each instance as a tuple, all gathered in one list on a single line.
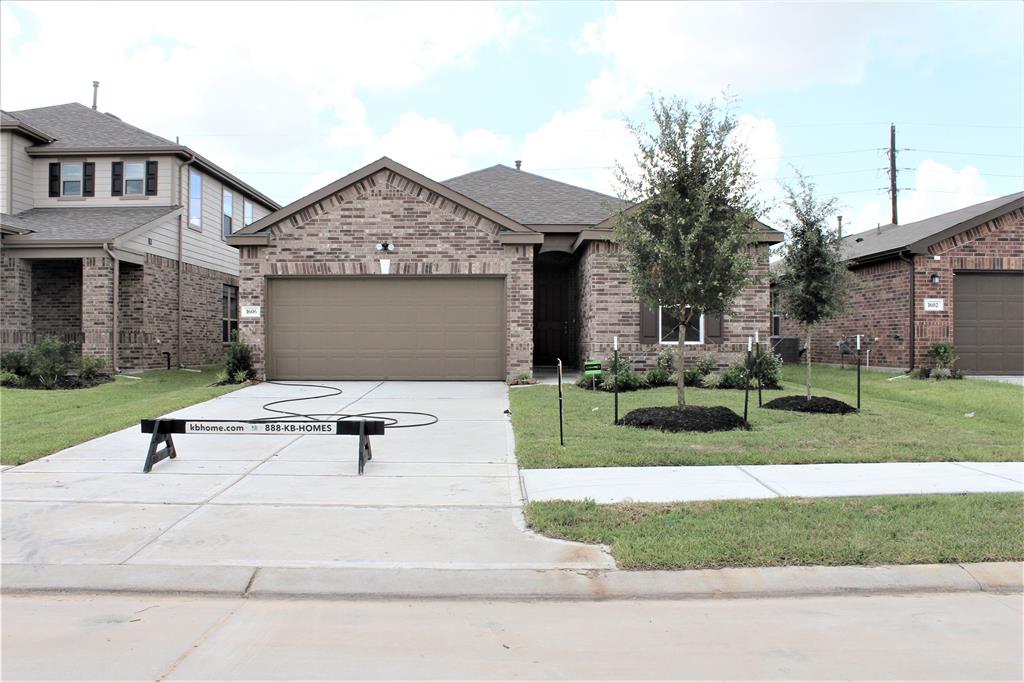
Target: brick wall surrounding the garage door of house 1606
[(433, 236)]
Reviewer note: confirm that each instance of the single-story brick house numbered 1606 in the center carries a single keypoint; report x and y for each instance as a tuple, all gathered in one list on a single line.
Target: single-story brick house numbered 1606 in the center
[(388, 274)]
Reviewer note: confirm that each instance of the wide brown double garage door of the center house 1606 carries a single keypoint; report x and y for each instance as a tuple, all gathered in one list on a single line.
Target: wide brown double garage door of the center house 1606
[(387, 328)]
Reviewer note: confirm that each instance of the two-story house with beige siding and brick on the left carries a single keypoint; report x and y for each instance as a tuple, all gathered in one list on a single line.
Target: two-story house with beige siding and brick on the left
[(114, 239)]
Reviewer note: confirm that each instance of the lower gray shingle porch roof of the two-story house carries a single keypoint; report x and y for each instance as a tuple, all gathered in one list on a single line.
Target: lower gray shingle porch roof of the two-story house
[(87, 225)]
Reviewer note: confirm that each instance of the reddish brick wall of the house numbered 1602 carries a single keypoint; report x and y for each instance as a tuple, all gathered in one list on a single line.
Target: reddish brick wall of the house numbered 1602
[(880, 304)]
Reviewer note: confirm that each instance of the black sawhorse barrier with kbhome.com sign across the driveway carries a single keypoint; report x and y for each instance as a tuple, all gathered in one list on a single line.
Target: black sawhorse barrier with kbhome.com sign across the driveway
[(162, 445)]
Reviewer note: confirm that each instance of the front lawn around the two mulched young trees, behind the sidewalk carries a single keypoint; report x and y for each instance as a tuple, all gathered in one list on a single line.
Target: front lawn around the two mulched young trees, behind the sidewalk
[(906, 420)]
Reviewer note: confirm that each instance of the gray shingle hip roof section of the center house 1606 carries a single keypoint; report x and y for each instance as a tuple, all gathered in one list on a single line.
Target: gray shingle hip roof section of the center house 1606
[(533, 200)]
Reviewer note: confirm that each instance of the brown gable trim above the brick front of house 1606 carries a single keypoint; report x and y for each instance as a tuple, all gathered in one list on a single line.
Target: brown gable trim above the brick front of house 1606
[(362, 181)]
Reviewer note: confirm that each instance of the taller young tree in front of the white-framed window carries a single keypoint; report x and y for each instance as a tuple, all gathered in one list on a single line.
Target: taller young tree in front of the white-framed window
[(687, 239)]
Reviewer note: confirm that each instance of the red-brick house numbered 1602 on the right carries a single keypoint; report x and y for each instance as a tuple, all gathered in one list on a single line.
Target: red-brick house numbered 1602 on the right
[(958, 277)]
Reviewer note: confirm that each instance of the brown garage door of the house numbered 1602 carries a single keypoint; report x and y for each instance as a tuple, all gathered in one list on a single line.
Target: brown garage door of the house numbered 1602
[(989, 315)]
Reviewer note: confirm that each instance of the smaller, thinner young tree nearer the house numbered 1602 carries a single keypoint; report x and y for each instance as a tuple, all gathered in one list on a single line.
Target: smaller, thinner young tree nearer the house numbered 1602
[(815, 279)]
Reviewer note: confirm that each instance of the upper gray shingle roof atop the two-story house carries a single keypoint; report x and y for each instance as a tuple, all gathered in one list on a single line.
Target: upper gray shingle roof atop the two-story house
[(75, 125)]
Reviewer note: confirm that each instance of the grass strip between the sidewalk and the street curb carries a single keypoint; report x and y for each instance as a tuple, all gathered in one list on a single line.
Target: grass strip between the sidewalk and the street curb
[(928, 529)]
